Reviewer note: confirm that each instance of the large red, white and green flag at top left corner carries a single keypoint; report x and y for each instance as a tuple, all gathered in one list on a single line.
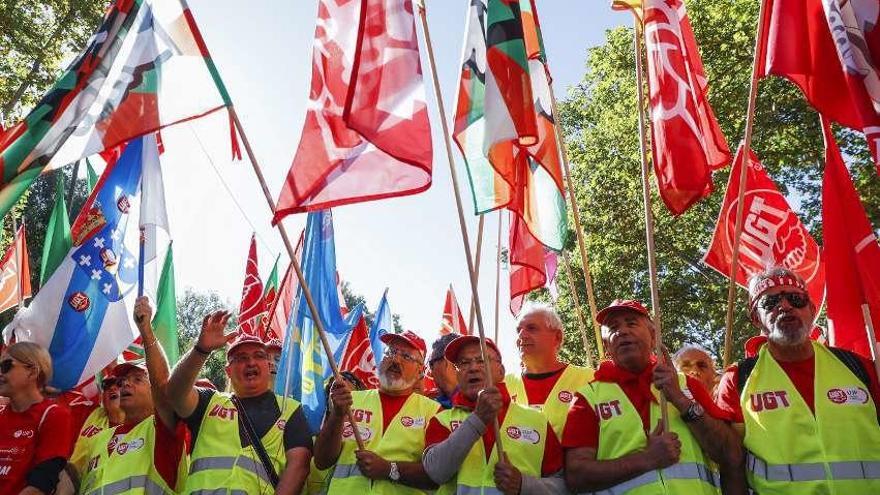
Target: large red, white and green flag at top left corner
[(147, 67)]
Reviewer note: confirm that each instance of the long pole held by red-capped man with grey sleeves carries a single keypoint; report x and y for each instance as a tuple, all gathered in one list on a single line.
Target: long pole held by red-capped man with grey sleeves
[(458, 202)]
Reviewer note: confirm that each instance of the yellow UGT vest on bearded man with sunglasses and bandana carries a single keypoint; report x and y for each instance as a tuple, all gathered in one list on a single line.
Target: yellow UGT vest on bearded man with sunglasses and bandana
[(790, 449)]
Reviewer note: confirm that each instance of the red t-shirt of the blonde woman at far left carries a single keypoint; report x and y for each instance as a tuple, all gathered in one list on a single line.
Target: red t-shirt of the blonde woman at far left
[(39, 434)]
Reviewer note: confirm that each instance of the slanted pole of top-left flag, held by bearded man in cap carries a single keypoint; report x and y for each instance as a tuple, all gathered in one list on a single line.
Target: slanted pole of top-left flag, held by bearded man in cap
[(307, 293)]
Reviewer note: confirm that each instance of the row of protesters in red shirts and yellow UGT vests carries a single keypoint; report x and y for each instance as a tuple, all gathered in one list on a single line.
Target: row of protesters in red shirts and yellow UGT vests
[(795, 416)]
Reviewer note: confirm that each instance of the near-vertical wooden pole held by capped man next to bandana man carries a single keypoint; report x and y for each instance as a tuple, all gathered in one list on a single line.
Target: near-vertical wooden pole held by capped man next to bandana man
[(649, 215)]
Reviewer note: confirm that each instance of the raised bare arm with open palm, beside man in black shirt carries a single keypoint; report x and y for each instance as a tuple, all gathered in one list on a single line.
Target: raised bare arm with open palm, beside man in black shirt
[(181, 391)]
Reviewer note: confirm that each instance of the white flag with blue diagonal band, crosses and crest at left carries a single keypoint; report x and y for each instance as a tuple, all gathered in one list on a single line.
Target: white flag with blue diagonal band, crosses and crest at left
[(82, 315)]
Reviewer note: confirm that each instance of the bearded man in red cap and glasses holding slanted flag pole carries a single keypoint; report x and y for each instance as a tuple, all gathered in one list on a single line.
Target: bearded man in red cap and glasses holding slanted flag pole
[(391, 421)]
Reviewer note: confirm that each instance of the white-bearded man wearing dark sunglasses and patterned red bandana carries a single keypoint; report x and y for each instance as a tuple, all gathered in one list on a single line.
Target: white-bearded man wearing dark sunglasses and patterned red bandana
[(807, 412)]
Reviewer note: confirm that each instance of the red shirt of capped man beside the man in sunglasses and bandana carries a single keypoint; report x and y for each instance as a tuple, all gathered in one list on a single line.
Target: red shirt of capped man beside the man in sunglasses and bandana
[(582, 425)]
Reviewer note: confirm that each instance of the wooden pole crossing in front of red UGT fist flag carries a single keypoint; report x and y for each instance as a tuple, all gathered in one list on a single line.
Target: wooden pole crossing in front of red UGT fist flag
[(746, 152)]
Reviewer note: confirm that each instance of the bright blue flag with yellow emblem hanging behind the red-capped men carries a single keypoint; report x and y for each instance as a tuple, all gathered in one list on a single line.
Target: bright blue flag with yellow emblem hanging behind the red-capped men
[(304, 368)]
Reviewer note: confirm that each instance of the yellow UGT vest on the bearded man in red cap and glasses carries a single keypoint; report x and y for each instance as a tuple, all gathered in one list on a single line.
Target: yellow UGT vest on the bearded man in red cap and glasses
[(403, 441)]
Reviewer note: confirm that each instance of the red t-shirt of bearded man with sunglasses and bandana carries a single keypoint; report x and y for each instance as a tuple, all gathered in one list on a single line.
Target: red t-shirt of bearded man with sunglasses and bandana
[(801, 374)]
